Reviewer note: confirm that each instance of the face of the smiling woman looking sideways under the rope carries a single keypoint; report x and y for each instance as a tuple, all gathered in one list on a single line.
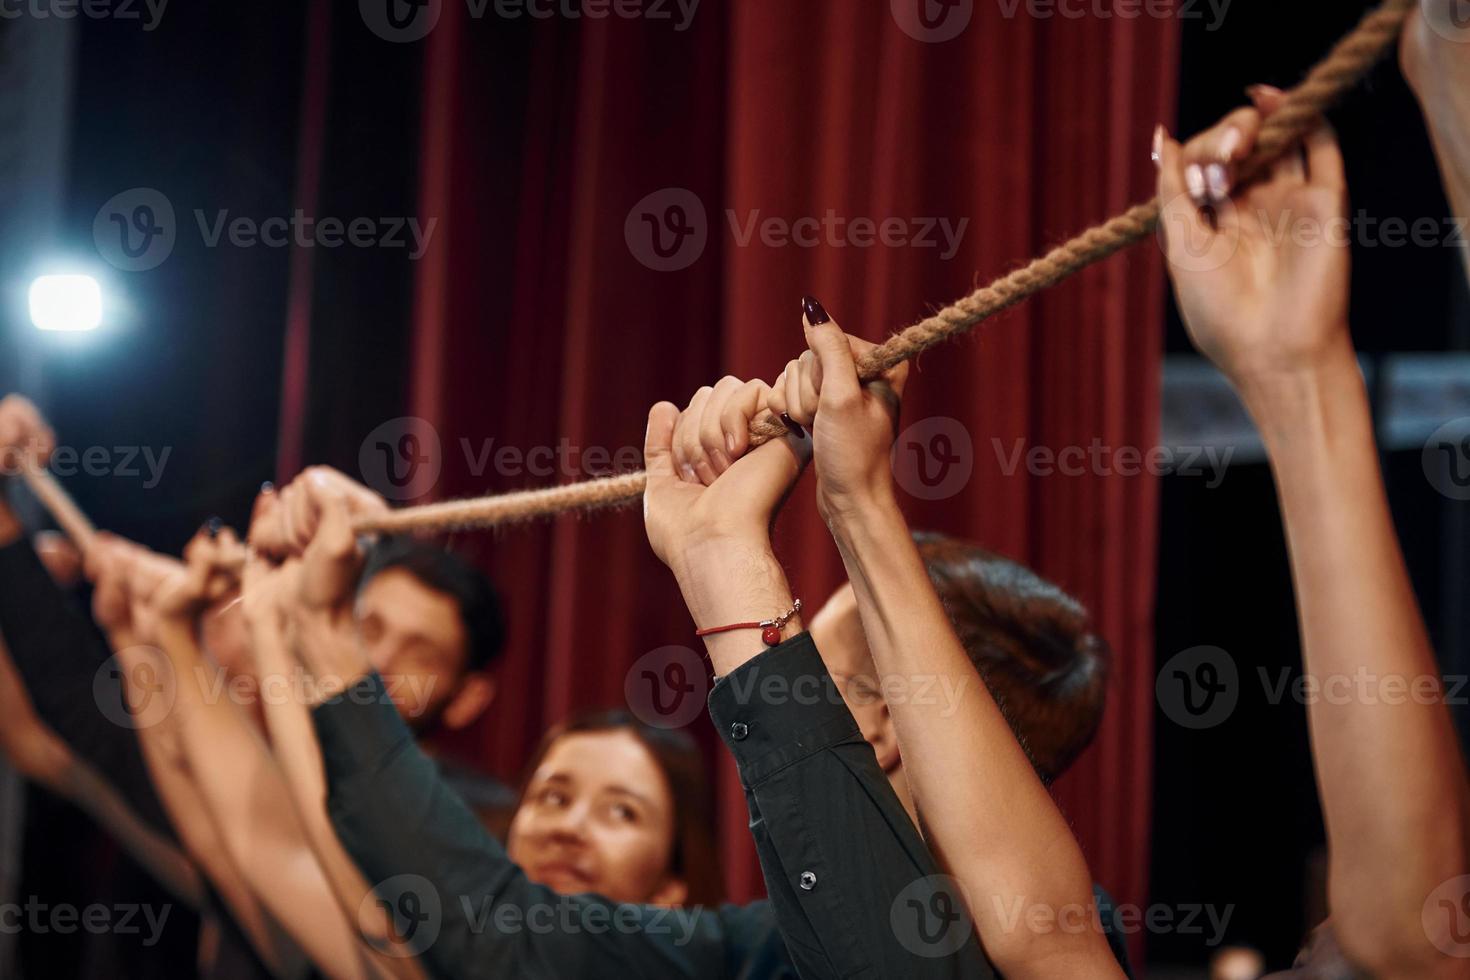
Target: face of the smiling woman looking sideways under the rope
[(599, 818)]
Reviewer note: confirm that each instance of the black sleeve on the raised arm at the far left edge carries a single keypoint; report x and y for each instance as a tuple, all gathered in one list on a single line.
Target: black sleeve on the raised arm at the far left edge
[(73, 680)]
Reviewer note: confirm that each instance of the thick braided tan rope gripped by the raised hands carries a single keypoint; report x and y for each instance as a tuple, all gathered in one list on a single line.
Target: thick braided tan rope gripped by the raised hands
[(1338, 73)]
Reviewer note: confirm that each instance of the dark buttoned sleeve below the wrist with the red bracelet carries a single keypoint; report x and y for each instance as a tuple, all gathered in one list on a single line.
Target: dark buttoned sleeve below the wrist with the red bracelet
[(856, 893)]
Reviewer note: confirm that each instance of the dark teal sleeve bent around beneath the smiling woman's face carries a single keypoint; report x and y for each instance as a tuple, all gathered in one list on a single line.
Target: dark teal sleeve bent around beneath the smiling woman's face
[(459, 901)]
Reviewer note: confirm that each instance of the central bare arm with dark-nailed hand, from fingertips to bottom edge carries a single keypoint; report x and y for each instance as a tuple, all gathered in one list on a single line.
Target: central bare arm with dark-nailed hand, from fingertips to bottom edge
[(994, 826)]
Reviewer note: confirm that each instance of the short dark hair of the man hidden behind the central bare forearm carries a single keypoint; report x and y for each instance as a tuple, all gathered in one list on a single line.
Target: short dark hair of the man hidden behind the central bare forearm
[(1033, 643)]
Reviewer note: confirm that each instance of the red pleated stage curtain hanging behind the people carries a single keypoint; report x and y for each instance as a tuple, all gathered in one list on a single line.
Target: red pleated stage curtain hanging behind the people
[(537, 325)]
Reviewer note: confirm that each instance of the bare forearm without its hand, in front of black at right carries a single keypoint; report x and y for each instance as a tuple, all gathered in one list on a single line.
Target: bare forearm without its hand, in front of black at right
[(1388, 766)]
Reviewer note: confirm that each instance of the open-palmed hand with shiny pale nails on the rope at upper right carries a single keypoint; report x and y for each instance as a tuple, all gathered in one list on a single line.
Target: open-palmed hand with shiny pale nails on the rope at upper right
[(1261, 273)]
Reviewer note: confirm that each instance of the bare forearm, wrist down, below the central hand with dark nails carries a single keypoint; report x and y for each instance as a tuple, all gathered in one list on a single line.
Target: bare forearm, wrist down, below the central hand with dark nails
[(987, 815)]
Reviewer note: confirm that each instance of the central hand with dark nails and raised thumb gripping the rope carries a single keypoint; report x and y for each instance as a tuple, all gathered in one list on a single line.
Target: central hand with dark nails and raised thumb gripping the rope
[(853, 424)]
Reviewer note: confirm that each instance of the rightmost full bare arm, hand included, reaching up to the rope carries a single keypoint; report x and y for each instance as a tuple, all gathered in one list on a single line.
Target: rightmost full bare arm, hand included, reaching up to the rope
[(1274, 315)]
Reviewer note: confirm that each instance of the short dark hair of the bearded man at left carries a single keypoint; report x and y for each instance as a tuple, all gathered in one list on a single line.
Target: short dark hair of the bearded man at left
[(446, 572)]
